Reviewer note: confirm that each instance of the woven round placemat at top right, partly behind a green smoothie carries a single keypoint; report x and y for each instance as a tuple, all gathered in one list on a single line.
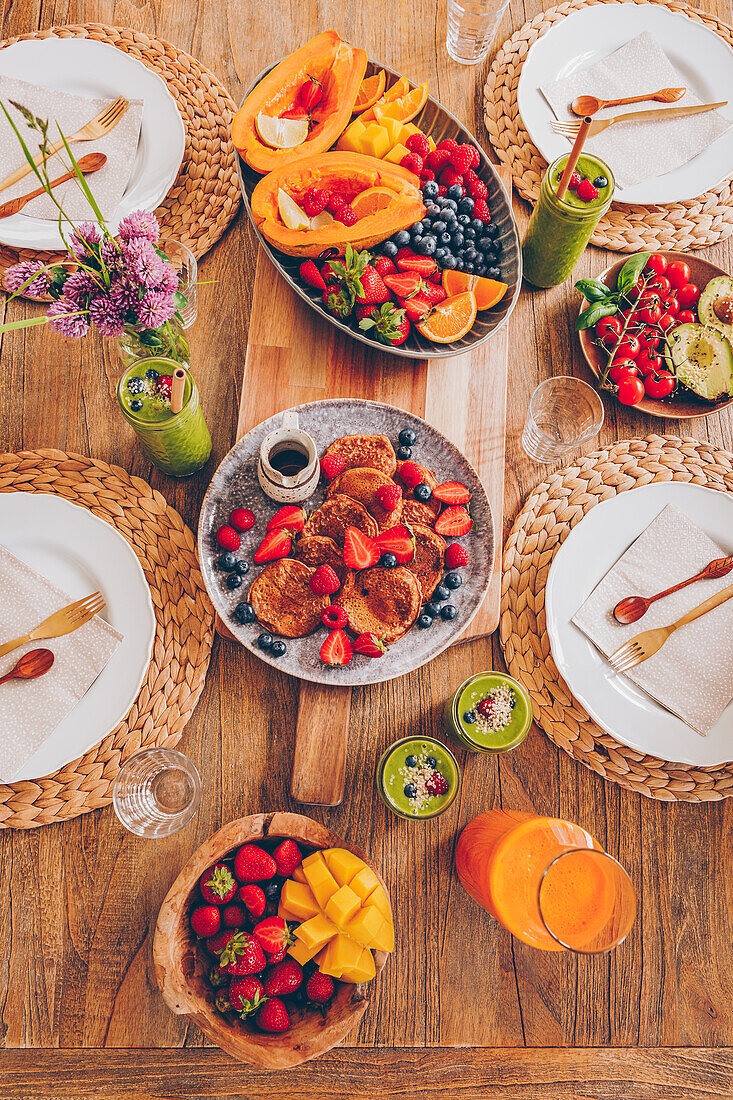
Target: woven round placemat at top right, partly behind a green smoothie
[(626, 228)]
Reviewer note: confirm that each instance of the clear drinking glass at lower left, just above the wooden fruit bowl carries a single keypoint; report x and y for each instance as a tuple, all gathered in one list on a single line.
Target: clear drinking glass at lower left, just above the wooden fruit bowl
[(157, 793)]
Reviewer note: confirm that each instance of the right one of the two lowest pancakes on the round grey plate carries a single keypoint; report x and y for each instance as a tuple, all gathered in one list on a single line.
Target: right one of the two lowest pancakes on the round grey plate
[(384, 601)]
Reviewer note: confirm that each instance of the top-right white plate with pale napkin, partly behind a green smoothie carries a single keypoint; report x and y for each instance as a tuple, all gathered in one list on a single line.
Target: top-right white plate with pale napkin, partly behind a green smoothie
[(660, 49)]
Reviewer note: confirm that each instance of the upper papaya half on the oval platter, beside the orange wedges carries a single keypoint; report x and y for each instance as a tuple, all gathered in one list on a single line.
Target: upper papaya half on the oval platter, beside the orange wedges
[(336, 65)]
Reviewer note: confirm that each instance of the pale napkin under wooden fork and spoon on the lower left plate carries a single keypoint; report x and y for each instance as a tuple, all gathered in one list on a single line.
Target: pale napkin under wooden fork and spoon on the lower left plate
[(30, 711)]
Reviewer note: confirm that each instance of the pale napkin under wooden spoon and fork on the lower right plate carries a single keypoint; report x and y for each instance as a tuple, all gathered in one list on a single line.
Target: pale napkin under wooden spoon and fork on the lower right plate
[(693, 674)]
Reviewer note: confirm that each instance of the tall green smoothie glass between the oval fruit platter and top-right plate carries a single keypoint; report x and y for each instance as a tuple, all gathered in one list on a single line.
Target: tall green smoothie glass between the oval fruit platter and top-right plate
[(560, 229)]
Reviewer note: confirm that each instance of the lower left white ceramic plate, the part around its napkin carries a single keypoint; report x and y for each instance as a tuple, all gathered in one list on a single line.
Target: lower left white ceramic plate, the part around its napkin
[(82, 554)]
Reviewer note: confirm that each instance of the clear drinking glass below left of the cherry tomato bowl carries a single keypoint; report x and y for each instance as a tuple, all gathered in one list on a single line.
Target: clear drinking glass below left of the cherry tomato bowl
[(564, 413)]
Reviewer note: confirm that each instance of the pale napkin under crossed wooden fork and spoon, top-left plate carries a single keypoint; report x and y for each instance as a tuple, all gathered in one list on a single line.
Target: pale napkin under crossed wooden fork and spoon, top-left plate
[(72, 113)]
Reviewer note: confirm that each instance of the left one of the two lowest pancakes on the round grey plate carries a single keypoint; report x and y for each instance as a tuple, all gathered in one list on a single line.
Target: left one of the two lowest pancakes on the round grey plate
[(283, 601)]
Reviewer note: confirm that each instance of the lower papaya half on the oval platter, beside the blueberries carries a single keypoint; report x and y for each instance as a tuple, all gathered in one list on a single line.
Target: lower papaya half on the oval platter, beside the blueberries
[(349, 174)]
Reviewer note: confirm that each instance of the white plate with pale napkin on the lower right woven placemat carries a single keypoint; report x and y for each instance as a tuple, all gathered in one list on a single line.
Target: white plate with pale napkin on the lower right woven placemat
[(590, 552)]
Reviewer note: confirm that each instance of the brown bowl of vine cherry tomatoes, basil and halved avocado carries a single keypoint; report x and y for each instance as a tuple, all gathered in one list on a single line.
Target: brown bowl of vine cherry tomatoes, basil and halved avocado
[(658, 332)]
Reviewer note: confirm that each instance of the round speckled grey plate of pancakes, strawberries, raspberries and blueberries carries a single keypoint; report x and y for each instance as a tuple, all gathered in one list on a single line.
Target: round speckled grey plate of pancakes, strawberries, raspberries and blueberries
[(376, 573)]
